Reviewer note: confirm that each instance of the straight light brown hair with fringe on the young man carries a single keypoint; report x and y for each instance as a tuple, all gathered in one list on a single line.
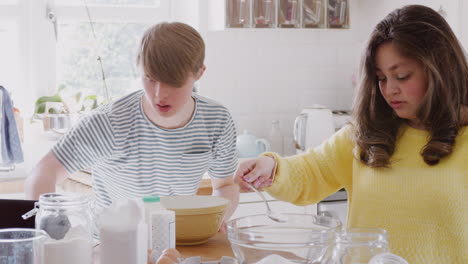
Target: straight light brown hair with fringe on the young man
[(169, 52)]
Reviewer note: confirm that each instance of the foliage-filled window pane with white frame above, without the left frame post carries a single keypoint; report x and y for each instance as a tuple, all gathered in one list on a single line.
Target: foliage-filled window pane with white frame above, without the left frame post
[(97, 43)]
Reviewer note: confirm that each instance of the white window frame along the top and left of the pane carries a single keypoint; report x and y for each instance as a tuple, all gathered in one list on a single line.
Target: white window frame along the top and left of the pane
[(37, 42)]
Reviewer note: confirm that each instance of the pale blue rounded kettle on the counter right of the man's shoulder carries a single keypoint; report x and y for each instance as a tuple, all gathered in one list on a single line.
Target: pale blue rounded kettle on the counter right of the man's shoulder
[(249, 146)]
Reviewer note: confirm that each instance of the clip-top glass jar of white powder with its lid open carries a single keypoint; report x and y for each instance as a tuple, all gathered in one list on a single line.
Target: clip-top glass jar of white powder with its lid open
[(67, 219)]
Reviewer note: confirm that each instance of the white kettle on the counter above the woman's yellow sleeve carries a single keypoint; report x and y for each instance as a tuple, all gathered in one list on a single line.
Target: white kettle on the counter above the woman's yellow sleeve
[(312, 127)]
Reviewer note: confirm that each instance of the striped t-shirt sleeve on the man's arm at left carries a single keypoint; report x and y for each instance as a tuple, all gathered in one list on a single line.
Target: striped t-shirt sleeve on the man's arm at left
[(86, 144)]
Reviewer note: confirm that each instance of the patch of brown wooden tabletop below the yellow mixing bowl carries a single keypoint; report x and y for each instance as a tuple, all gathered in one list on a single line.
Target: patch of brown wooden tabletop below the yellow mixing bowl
[(215, 248)]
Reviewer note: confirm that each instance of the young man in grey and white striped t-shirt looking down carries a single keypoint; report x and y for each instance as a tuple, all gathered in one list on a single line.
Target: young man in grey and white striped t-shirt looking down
[(156, 141)]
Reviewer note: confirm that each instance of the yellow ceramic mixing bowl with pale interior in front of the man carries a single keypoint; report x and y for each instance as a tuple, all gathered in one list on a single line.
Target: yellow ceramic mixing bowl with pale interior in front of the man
[(198, 217)]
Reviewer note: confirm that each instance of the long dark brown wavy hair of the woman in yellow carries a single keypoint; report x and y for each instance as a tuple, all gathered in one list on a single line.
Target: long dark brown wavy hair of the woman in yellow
[(419, 33)]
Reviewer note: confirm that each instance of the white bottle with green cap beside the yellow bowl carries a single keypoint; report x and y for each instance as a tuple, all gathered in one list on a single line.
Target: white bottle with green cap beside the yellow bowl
[(161, 226)]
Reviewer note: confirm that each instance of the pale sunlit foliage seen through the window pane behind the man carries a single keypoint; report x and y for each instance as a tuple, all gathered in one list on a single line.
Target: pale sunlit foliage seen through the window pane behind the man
[(116, 45)]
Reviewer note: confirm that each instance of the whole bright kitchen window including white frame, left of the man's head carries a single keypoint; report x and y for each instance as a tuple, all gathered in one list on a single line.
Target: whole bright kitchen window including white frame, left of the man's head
[(48, 44)]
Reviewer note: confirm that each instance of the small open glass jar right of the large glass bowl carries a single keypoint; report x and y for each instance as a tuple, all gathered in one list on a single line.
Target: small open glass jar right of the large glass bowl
[(359, 245)]
